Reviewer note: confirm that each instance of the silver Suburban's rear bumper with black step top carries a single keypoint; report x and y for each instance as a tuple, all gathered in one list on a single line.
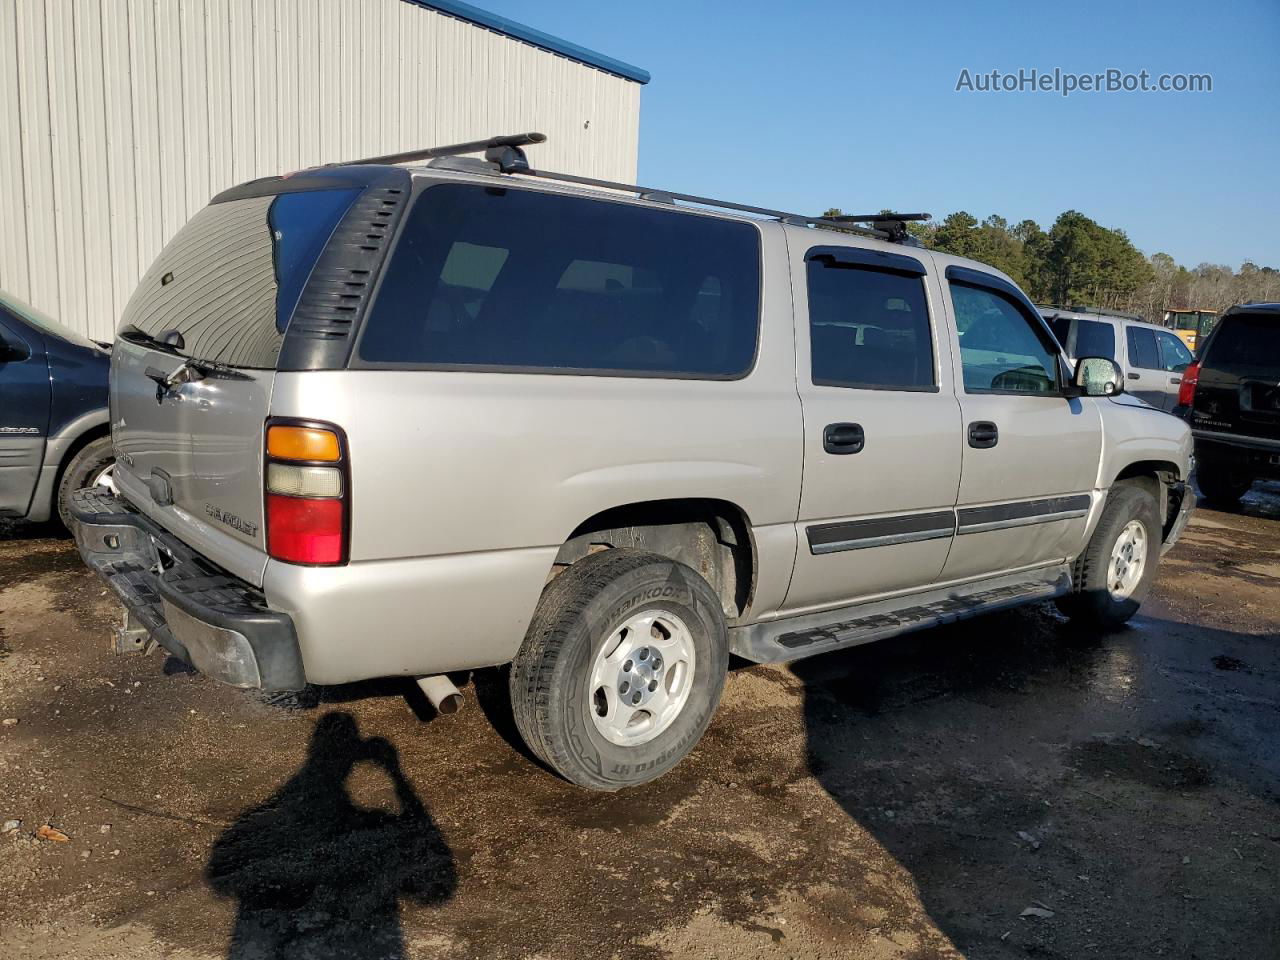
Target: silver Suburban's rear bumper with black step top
[(204, 616)]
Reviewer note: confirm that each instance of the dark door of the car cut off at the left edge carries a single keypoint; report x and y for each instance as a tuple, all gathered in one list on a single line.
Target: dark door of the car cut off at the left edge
[(24, 414)]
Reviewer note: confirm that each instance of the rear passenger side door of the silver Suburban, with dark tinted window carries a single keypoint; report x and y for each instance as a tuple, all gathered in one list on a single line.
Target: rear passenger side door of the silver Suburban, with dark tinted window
[(881, 426)]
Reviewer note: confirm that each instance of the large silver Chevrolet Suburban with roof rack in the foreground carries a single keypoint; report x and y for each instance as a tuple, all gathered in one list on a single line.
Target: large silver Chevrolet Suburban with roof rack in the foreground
[(374, 420)]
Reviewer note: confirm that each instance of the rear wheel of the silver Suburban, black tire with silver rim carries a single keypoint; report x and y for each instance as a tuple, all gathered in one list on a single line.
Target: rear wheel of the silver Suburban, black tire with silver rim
[(579, 621)]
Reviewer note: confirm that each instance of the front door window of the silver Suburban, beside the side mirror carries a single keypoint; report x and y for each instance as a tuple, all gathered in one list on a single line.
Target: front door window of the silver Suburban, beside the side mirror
[(1003, 350)]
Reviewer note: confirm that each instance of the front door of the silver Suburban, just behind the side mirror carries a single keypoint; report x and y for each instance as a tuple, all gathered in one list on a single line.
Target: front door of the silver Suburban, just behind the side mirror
[(1031, 455)]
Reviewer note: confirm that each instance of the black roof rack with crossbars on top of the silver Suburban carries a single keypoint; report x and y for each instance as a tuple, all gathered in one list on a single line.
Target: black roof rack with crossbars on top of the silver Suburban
[(508, 156)]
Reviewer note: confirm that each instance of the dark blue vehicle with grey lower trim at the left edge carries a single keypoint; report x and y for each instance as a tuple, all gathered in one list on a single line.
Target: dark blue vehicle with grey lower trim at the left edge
[(54, 428)]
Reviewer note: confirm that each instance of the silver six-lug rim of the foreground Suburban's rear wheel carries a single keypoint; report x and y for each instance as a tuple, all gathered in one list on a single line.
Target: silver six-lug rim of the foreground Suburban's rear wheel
[(642, 678)]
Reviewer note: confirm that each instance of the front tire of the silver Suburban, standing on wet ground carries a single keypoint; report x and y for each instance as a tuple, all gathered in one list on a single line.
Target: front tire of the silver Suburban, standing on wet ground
[(1094, 602)]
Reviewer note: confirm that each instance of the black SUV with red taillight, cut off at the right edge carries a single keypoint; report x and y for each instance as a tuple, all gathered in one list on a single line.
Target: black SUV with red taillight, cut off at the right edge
[(1231, 396)]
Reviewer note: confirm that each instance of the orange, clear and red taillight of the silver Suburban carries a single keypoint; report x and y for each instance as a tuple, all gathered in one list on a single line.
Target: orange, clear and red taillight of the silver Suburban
[(308, 492)]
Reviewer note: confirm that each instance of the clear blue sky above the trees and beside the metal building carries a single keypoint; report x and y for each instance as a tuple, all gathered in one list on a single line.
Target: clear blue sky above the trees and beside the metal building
[(807, 106)]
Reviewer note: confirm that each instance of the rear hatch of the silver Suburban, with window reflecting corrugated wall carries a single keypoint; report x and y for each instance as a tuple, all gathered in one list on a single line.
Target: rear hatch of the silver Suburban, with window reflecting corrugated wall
[(195, 364)]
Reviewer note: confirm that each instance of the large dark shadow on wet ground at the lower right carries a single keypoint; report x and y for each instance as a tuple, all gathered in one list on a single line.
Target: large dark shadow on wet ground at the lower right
[(991, 758)]
